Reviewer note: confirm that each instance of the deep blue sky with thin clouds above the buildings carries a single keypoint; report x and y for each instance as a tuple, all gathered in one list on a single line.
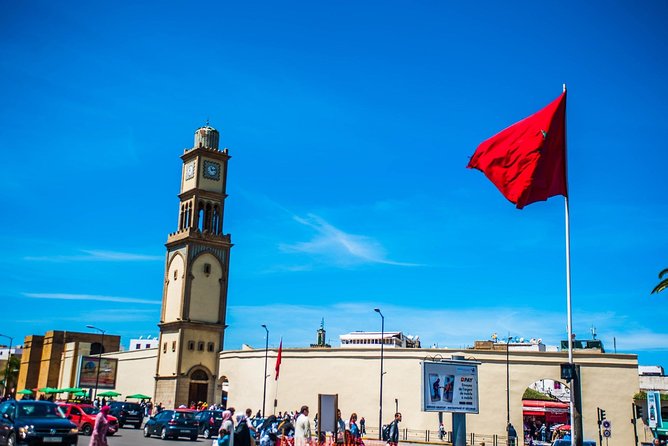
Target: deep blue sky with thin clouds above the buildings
[(350, 125)]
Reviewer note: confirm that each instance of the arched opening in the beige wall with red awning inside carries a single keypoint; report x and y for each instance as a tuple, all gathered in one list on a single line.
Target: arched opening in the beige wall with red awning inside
[(546, 411)]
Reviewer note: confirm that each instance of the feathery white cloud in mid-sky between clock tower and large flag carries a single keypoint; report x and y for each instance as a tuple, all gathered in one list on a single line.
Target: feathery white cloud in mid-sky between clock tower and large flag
[(338, 246)]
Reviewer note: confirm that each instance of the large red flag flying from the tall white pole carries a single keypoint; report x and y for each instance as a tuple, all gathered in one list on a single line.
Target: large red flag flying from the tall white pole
[(527, 161)]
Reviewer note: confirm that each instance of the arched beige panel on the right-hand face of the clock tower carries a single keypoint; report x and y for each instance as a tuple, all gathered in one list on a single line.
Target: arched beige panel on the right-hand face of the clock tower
[(205, 289)]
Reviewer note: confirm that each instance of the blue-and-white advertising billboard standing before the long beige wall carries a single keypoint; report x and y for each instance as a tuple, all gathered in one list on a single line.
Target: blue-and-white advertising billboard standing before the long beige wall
[(450, 386)]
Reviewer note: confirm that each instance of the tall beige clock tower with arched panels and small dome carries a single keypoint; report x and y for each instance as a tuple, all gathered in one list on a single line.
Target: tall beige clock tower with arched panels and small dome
[(194, 298)]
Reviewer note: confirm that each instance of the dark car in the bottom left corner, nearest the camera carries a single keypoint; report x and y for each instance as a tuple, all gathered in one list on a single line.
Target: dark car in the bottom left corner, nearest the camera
[(35, 422)]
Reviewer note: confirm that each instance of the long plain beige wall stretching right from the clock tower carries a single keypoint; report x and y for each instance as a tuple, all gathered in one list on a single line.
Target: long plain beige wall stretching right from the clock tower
[(609, 382)]
